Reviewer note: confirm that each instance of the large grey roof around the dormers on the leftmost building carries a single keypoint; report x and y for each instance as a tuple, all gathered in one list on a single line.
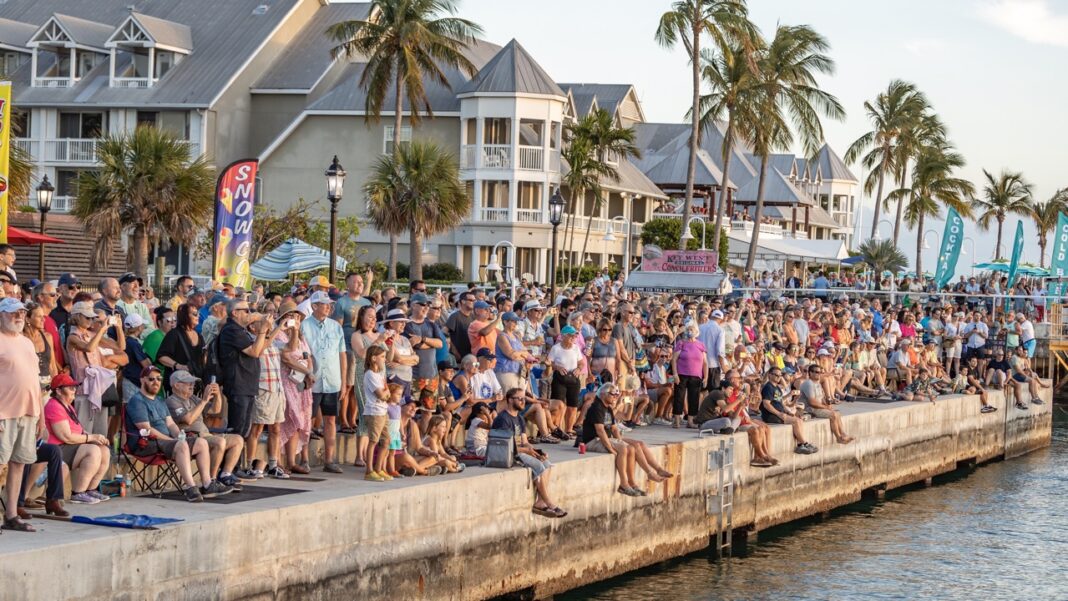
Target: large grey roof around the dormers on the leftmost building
[(225, 37)]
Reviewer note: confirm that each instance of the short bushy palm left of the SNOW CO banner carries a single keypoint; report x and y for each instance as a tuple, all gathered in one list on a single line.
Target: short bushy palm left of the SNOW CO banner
[(149, 184)]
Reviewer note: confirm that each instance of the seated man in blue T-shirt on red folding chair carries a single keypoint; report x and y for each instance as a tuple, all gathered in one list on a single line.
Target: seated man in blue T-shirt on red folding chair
[(150, 430)]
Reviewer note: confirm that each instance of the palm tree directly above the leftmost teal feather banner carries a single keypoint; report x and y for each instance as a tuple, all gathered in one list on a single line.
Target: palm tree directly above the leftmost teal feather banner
[(935, 186)]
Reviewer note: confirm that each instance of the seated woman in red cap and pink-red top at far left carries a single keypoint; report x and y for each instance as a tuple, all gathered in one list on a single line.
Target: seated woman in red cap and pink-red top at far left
[(88, 455)]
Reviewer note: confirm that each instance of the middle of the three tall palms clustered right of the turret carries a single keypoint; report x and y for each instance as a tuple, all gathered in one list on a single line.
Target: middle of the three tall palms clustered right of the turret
[(733, 86)]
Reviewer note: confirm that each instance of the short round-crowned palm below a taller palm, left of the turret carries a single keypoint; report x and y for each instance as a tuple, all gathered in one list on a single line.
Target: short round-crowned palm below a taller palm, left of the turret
[(421, 186)]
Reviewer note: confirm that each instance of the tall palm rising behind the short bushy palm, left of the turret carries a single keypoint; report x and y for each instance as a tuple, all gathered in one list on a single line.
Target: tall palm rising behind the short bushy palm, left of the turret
[(404, 42)]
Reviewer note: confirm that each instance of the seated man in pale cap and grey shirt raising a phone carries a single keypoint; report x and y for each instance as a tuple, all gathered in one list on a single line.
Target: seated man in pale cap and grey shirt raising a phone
[(189, 413)]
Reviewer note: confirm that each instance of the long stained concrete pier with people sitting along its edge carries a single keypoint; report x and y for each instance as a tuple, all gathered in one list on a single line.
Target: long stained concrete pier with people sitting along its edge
[(473, 535)]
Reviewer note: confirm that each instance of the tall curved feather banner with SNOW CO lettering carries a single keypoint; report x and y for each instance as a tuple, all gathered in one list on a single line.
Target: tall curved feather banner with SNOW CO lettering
[(234, 200)]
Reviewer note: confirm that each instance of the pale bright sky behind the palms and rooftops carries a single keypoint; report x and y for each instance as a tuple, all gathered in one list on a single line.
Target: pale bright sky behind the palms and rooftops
[(992, 69)]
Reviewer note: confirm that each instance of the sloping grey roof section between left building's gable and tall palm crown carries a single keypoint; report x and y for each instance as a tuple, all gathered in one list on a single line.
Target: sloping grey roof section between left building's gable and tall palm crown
[(308, 58)]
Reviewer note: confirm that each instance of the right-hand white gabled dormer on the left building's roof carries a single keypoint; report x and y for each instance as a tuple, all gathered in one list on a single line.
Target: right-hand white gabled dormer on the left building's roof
[(144, 50)]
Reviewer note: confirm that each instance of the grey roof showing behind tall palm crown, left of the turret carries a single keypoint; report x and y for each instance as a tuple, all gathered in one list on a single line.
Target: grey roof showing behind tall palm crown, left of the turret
[(349, 96)]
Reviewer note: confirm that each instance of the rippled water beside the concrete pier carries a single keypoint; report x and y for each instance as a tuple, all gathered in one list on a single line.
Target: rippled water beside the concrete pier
[(999, 532)]
